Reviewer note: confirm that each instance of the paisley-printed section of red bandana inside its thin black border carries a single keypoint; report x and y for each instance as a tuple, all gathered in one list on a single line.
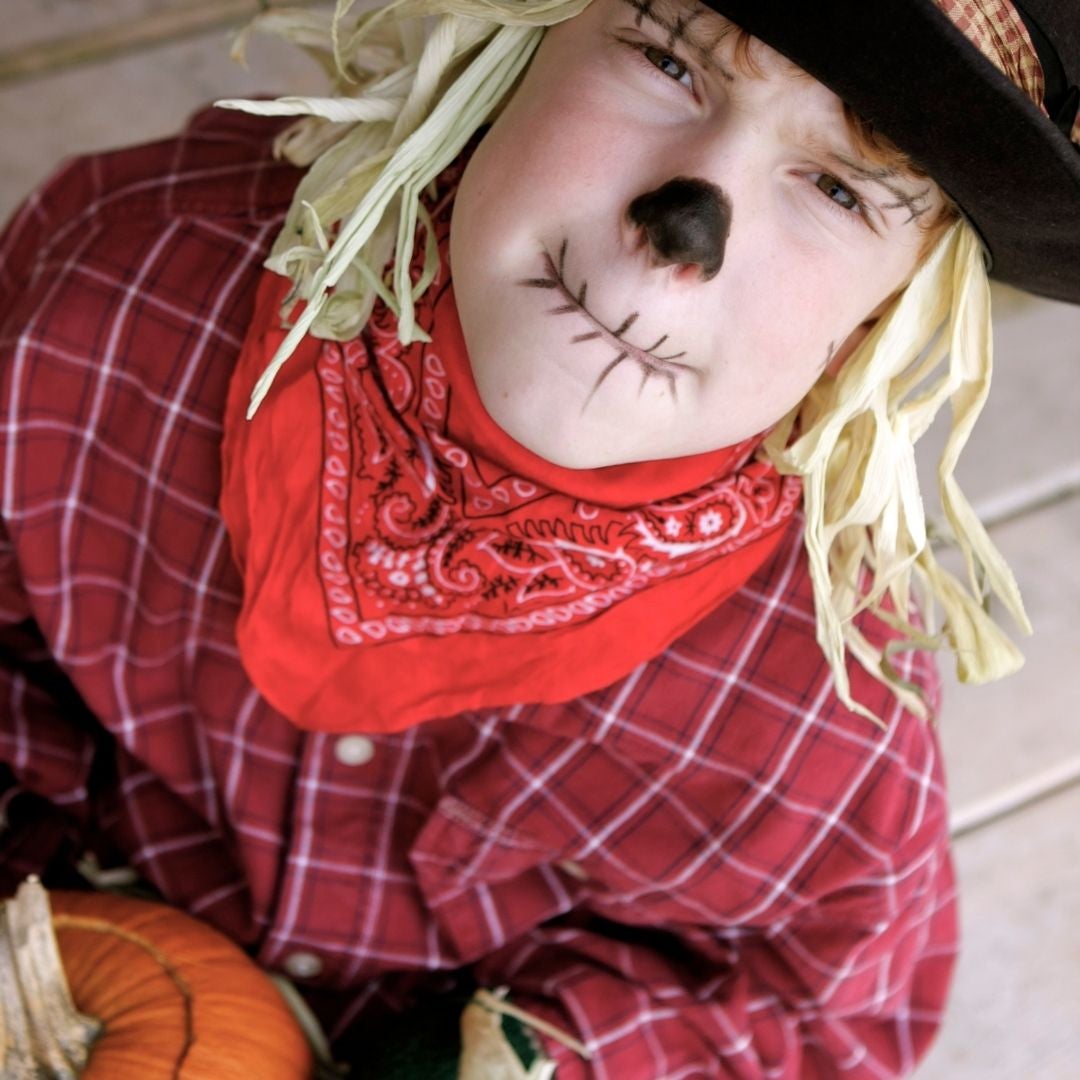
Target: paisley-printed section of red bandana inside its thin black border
[(418, 538)]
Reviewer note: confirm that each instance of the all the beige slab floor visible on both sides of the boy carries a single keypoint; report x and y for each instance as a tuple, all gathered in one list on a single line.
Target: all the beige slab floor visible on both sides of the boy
[(1014, 750)]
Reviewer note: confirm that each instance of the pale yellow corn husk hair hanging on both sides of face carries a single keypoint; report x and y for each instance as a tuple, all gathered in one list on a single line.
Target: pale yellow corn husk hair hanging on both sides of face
[(414, 80)]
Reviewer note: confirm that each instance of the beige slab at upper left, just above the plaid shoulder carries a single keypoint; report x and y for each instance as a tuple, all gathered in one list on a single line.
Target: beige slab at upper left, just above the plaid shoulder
[(132, 100)]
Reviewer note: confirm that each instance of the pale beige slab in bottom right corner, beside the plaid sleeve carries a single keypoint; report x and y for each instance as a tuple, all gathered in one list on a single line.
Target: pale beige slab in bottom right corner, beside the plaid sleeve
[(1016, 1008)]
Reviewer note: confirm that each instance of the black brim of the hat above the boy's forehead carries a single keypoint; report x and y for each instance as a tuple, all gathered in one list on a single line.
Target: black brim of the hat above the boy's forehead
[(903, 66)]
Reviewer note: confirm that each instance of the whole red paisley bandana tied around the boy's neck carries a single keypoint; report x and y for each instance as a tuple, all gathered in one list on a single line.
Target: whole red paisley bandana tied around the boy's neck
[(404, 559)]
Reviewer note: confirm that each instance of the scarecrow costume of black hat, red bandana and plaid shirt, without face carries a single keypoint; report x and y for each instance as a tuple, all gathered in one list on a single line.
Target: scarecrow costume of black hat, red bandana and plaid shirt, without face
[(407, 710)]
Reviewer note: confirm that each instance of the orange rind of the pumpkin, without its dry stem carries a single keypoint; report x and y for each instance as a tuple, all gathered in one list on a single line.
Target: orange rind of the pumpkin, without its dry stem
[(177, 998)]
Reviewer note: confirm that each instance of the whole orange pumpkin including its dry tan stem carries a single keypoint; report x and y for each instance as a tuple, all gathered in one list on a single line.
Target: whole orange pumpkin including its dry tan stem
[(131, 963)]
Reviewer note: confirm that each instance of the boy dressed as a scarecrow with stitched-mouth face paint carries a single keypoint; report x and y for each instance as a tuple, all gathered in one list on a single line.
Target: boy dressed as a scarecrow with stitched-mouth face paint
[(539, 563)]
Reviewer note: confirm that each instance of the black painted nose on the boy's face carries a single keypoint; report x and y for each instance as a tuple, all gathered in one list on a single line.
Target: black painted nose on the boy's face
[(686, 222)]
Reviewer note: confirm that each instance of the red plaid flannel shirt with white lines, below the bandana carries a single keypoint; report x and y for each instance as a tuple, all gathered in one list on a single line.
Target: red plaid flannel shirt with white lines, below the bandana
[(710, 869)]
